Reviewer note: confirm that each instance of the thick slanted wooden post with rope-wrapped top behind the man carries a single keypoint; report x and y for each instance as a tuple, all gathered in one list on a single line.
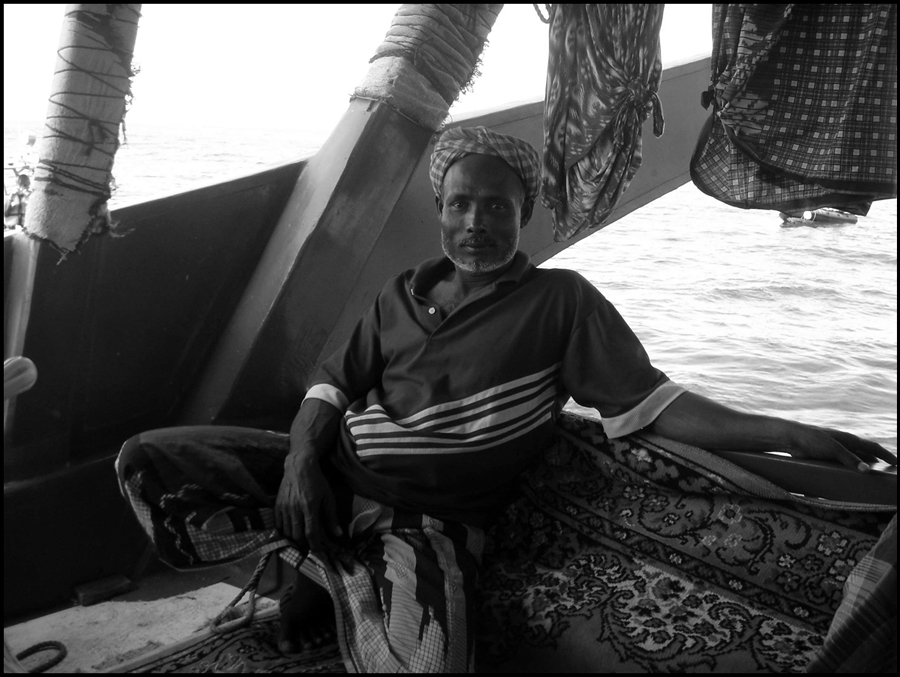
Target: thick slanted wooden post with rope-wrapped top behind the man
[(339, 207)]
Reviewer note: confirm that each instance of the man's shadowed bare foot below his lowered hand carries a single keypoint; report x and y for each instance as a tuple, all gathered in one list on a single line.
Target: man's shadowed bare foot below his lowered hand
[(307, 617)]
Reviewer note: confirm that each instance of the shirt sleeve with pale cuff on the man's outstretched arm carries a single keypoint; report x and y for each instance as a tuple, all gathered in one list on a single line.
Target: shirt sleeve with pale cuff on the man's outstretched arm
[(606, 367)]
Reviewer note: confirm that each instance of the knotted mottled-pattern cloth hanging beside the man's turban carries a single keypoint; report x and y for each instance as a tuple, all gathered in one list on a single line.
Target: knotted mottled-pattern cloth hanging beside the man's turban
[(602, 78)]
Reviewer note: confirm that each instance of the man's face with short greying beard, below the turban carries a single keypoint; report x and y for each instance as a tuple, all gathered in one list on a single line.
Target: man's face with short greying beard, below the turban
[(481, 209)]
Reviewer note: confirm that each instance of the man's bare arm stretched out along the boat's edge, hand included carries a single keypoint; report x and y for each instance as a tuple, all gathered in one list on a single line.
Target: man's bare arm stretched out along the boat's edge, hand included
[(701, 422)]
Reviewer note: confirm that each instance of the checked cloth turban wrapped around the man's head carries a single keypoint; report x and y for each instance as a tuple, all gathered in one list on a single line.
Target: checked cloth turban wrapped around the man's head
[(458, 142)]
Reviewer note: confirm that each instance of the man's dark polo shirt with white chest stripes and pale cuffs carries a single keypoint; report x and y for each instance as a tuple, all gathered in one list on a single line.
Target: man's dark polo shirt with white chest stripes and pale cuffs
[(442, 412)]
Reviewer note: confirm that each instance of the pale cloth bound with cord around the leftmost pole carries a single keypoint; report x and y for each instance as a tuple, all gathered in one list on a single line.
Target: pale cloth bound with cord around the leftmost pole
[(90, 91)]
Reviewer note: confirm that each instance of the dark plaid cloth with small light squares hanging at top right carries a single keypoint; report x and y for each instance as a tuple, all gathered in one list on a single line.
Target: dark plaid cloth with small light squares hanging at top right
[(804, 107)]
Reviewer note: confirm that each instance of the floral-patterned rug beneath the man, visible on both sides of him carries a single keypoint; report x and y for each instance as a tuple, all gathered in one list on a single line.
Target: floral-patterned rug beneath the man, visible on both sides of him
[(630, 555)]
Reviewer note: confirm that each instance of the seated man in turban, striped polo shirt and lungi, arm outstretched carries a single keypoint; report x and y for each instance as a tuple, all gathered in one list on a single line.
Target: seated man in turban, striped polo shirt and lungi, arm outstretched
[(413, 433)]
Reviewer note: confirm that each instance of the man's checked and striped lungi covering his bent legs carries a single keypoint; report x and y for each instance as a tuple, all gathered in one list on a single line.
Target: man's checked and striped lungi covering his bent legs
[(402, 586)]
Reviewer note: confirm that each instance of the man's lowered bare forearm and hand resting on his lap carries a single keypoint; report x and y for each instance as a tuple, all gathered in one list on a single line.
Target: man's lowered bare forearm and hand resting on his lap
[(305, 508)]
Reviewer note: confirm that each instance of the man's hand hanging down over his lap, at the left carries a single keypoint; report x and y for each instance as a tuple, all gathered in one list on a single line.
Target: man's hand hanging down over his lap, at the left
[(305, 510)]
